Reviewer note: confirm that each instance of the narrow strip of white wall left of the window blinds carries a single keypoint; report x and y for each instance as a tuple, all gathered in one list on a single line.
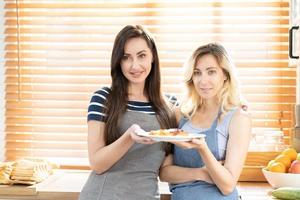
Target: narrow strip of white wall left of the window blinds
[(1, 80)]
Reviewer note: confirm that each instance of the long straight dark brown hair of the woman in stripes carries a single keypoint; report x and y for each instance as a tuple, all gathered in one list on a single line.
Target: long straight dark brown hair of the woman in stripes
[(118, 97)]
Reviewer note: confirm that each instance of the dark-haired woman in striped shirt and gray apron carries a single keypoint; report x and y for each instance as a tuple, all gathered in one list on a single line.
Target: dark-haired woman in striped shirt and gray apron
[(124, 165)]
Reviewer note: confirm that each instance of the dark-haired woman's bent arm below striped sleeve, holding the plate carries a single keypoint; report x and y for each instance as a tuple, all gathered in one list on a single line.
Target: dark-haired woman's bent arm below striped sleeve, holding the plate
[(103, 157)]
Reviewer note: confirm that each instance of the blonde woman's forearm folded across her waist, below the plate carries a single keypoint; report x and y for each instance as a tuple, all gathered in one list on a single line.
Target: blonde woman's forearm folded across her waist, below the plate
[(175, 174)]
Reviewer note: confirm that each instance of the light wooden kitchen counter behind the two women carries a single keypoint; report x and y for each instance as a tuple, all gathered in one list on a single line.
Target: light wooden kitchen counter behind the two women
[(67, 184)]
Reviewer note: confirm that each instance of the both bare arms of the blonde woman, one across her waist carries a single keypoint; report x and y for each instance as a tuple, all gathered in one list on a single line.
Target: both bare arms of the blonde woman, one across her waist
[(224, 175)]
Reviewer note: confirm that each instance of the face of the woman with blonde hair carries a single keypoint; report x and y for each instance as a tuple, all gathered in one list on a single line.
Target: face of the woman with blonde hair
[(208, 77)]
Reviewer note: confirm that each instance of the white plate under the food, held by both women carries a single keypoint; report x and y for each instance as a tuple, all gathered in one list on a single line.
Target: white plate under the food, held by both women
[(188, 137)]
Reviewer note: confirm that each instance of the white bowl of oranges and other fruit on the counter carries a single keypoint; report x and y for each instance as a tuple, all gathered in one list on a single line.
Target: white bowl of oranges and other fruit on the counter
[(284, 170)]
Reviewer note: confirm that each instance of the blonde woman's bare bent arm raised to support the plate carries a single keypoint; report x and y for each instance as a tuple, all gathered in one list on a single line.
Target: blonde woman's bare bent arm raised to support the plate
[(226, 177)]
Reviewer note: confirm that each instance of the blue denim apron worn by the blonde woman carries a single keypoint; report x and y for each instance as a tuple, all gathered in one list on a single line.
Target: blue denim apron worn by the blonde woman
[(198, 190)]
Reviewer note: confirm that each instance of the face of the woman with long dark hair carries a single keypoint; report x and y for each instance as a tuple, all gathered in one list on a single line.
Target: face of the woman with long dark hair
[(136, 61)]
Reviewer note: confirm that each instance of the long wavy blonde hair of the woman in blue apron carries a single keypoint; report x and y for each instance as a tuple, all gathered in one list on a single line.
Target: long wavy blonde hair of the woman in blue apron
[(229, 96)]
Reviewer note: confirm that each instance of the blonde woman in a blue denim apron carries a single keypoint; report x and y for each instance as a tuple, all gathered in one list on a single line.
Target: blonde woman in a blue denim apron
[(208, 168)]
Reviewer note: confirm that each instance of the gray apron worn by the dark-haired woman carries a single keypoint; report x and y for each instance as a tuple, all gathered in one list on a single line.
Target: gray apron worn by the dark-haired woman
[(134, 176)]
